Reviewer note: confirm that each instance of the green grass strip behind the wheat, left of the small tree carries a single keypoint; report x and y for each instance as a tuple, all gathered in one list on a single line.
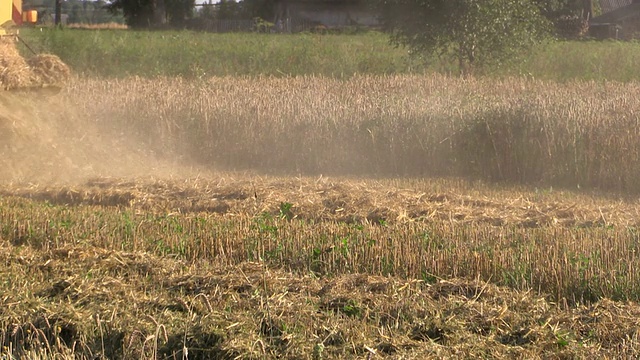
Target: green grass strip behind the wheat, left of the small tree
[(193, 54)]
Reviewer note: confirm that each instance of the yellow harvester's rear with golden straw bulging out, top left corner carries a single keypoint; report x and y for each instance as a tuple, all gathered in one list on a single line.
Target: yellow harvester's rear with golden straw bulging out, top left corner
[(39, 71)]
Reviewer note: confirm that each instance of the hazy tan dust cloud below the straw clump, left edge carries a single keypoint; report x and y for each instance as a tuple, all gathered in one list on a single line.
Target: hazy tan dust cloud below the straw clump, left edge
[(44, 139)]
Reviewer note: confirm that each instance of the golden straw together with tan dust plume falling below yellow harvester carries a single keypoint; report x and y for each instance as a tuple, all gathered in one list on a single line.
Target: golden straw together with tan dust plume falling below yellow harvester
[(48, 137)]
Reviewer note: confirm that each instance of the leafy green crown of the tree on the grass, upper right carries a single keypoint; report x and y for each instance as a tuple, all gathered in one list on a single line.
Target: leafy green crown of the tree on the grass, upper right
[(476, 33)]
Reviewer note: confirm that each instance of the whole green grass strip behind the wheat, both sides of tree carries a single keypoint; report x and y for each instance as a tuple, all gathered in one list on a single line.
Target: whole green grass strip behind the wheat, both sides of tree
[(201, 55)]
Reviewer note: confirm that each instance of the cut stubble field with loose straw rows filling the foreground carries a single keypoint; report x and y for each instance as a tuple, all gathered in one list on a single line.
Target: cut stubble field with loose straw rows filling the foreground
[(243, 266)]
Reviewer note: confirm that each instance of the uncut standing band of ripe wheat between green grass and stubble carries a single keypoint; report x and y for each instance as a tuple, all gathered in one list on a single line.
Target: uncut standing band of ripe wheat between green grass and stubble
[(581, 134)]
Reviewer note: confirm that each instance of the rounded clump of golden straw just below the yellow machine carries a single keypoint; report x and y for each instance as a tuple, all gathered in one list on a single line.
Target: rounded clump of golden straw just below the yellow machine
[(41, 70)]
